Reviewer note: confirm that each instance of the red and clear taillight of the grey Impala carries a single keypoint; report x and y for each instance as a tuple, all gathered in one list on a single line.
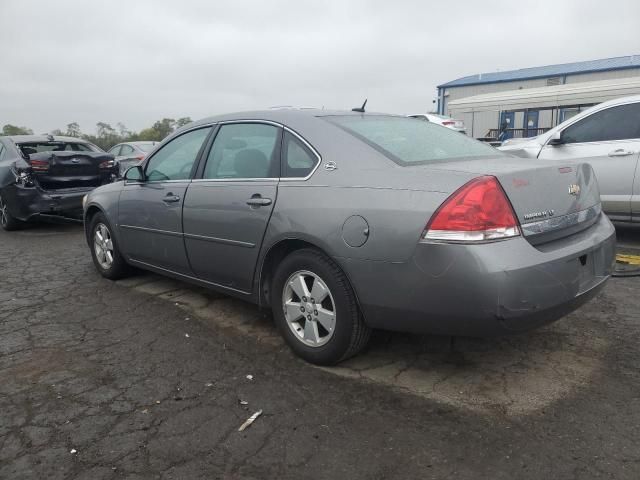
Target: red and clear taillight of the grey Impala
[(479, 211)]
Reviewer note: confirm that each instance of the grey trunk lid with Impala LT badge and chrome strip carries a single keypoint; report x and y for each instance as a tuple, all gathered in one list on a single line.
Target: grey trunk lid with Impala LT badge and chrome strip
[(550, 200)]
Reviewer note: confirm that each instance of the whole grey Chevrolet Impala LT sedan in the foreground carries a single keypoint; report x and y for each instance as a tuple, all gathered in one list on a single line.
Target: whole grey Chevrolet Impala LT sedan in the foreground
[(342, 222)]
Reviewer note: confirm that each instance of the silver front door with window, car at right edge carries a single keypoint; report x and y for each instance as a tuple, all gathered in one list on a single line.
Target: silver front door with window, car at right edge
[(609, 140)]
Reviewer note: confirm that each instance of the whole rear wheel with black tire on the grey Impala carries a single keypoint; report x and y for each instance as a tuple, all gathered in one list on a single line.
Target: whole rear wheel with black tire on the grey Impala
[(305, 323)]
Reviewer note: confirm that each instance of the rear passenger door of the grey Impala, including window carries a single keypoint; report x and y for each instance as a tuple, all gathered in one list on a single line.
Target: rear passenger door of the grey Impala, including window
[(227, 210)]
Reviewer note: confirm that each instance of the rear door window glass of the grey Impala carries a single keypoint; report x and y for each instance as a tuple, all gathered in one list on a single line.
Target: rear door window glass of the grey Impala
[(244, 150)]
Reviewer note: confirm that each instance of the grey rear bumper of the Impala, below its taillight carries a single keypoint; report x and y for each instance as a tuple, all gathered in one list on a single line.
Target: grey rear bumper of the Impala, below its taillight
[(488, 289)]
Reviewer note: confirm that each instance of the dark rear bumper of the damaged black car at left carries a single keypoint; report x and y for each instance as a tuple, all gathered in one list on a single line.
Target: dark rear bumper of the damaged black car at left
[(27, 202)]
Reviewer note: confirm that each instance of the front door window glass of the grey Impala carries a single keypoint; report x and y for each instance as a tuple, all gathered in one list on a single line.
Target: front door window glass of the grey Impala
[(175, 160)]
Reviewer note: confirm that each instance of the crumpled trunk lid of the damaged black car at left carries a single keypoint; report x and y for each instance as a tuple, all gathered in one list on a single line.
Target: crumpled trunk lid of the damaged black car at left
[(69, 169)]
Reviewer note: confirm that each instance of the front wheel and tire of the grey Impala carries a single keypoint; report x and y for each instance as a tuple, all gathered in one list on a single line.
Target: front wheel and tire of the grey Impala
[(106, 253)]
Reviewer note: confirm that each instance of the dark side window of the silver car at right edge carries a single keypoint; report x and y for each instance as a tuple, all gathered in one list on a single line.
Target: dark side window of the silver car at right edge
[(615, 123)]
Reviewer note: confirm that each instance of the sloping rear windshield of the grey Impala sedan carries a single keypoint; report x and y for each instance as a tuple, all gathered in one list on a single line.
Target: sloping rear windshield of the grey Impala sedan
[(408, 141)]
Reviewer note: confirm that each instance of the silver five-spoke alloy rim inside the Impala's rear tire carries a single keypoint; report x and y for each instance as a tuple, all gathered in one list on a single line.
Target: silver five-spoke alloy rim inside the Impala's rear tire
[(309, 308)]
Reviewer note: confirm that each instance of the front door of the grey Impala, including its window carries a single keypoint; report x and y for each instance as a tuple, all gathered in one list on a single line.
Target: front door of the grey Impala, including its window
[(150, 211)]
